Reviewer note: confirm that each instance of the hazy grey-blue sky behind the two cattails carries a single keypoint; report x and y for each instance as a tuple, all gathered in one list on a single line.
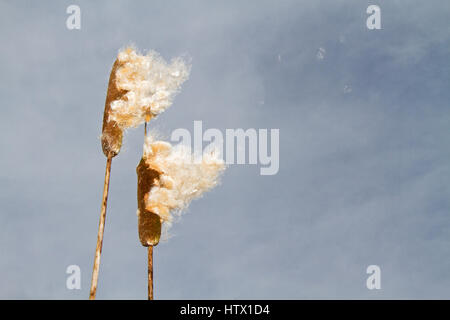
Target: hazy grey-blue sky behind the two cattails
[(364, 149)]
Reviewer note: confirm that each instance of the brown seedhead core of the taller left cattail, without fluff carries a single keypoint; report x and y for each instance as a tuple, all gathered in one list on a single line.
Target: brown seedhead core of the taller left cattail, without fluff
[(111, 133)]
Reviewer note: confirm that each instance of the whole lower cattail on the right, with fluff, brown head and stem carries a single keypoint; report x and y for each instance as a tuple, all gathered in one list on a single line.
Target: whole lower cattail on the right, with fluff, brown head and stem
[(169, 178)]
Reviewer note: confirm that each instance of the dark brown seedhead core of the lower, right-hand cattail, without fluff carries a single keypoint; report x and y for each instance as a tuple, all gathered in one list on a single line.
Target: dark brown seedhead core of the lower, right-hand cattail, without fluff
[(149, 222)]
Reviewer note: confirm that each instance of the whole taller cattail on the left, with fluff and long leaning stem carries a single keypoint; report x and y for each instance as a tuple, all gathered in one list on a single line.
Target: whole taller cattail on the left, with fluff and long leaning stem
[(140, 87)]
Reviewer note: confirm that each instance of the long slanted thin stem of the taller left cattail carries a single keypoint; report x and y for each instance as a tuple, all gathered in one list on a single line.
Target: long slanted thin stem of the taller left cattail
[(101, 229)]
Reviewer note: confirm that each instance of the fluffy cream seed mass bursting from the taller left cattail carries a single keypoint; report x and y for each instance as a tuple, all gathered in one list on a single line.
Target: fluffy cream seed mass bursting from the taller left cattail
[(151, 84)]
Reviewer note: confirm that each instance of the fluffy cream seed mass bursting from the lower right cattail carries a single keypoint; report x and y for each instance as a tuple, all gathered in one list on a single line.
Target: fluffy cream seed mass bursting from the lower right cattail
[(183, 178)]
